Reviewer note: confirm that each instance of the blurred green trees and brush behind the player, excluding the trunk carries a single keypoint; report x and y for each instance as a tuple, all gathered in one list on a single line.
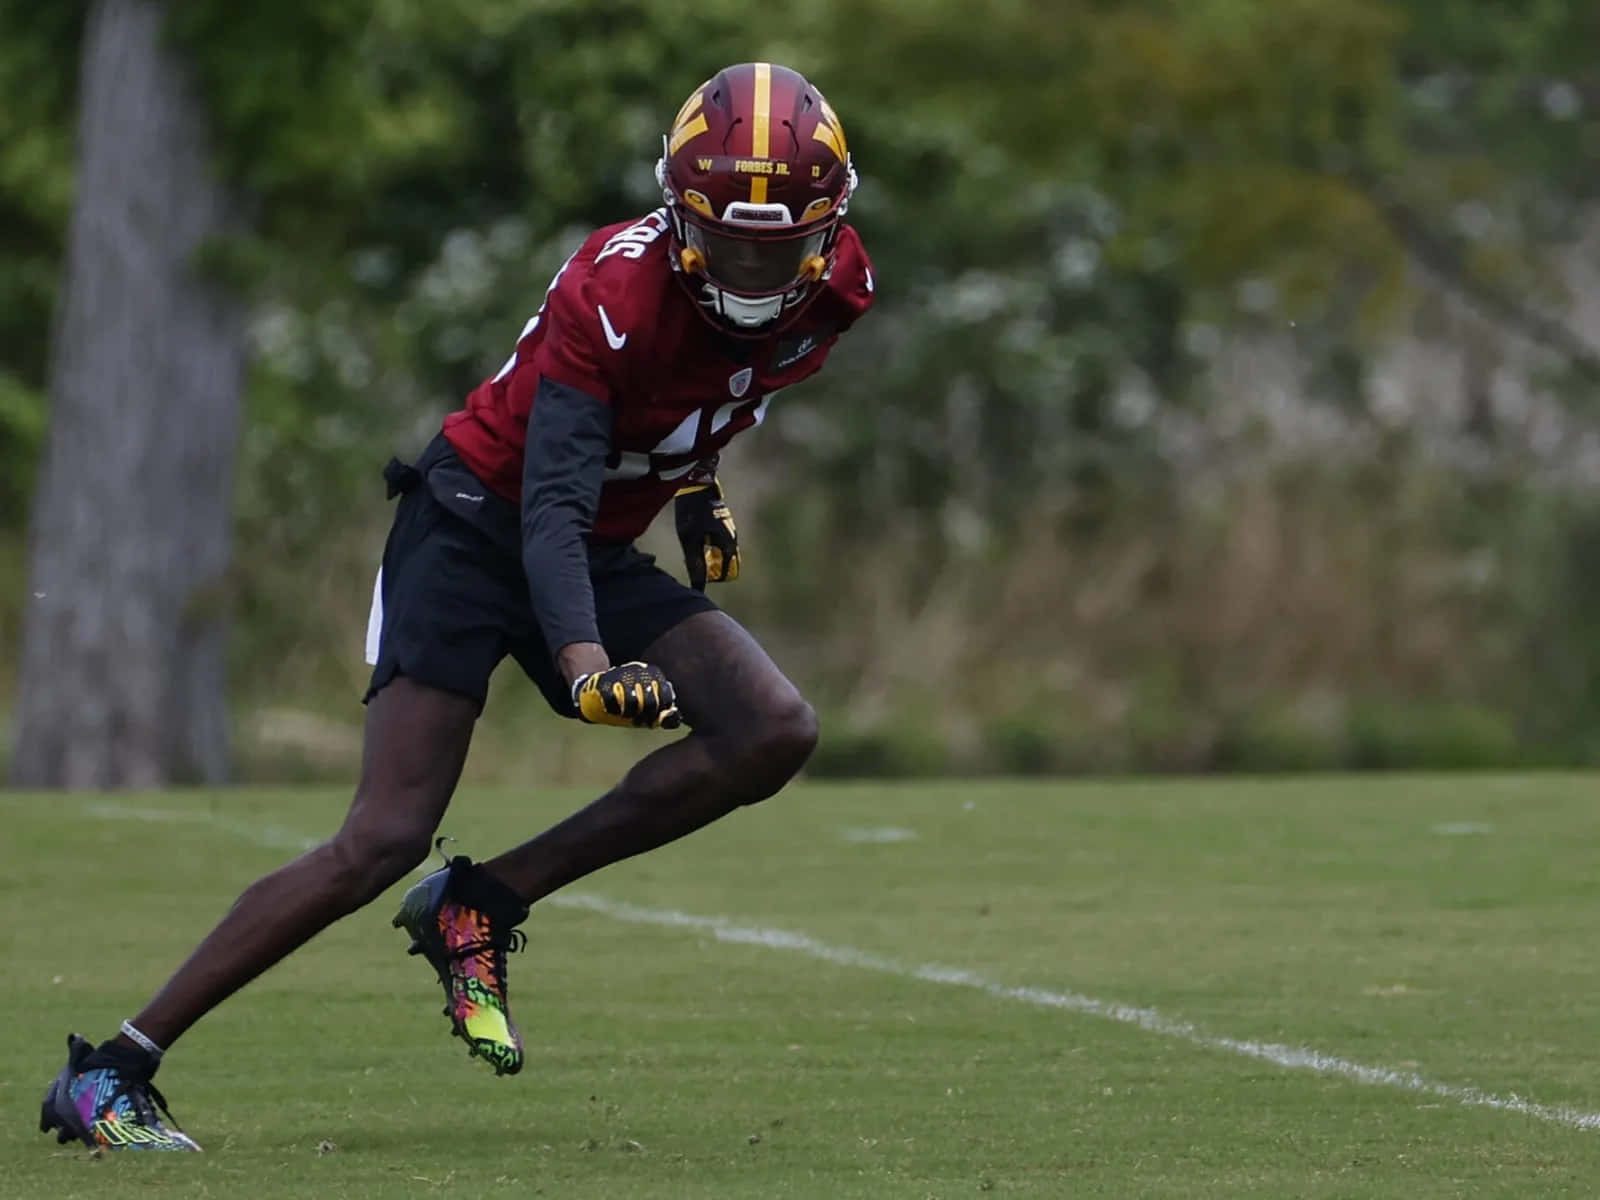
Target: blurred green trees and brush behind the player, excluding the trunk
[(1127, 471)]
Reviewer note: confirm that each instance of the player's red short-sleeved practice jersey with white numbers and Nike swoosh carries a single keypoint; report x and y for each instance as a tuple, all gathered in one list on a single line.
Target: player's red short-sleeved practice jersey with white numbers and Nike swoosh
[(618, 326)]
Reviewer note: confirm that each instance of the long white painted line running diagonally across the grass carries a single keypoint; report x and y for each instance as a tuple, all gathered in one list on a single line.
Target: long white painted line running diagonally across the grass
[(1150, 1020)]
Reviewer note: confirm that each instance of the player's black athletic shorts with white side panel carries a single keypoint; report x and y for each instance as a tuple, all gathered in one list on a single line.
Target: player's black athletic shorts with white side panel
[(452, 601)]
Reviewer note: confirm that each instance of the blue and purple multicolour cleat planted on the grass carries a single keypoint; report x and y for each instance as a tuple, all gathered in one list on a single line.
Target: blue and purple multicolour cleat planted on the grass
[(108, 1105)]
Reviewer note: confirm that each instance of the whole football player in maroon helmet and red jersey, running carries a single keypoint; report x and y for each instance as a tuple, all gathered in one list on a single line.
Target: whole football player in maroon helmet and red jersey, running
[(658, 343)]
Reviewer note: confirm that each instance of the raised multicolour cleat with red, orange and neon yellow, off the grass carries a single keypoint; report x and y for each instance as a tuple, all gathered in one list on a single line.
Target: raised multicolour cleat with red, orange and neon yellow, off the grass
[(463, 921)]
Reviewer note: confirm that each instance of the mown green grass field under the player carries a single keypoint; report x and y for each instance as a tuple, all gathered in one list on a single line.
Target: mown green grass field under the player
[(1433, 940)]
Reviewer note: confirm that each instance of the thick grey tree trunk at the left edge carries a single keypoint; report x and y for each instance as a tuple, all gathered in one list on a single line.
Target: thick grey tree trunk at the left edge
[(122, 681)]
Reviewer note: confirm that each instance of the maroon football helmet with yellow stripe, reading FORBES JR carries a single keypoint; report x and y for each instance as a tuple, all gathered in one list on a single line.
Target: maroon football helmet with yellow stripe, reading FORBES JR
[(756, 175)]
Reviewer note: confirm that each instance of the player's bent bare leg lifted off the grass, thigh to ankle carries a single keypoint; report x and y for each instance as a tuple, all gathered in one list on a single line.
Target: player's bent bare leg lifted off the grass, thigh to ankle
[(751, 732)]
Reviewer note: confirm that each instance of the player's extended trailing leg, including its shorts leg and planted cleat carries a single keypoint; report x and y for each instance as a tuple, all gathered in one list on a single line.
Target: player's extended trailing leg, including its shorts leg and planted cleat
[(439, 642)]
